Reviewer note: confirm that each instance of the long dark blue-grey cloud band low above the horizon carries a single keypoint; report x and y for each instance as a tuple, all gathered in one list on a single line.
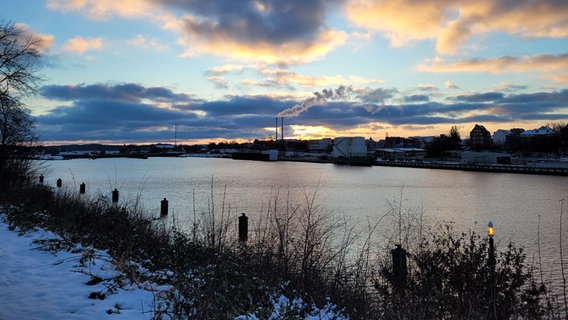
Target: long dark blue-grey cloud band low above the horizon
[(132, 112)]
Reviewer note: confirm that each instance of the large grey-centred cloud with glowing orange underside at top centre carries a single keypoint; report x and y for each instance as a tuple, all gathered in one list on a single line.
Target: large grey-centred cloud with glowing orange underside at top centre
[(280, 32)]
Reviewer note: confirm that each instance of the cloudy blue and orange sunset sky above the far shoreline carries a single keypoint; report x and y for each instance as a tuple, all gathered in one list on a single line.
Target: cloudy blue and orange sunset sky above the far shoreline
[(189, 71)]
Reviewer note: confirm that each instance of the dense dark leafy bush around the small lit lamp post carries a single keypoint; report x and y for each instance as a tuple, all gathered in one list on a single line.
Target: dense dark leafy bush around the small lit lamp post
[(450, 278)]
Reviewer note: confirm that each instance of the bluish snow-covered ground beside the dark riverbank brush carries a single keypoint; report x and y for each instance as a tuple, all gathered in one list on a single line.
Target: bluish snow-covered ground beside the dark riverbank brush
[(36, 283)]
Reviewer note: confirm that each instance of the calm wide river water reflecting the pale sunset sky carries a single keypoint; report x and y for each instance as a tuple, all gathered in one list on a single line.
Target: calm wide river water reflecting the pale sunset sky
[(517, 204)]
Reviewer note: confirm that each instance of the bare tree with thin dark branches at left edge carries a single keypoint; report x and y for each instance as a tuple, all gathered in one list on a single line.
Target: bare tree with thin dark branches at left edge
[(20, 53)]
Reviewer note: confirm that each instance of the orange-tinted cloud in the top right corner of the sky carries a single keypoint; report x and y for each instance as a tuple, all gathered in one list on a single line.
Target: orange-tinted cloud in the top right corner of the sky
[(452, 23)]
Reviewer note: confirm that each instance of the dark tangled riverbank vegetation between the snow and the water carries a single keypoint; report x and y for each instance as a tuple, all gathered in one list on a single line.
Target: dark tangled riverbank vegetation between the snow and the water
[(296, 250)]
